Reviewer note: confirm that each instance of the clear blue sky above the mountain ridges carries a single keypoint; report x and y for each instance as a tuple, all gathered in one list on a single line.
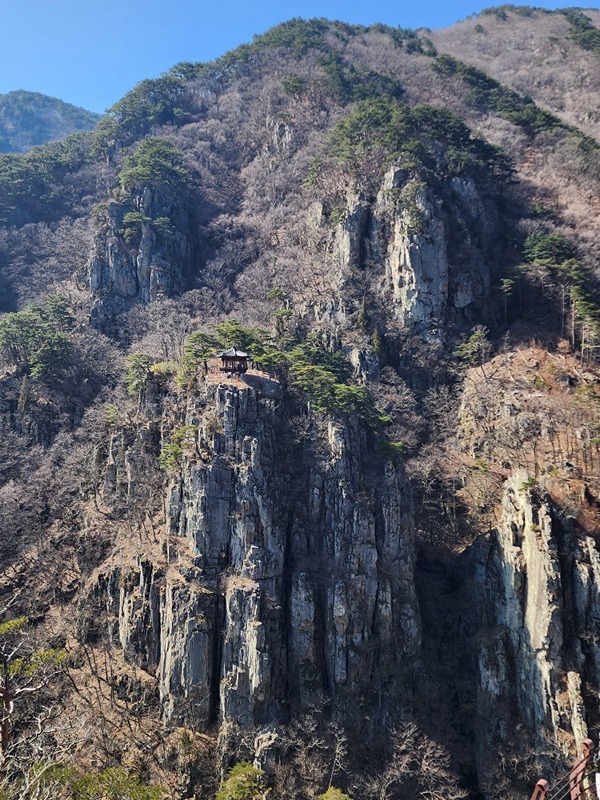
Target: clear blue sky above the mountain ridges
[(90, 52)]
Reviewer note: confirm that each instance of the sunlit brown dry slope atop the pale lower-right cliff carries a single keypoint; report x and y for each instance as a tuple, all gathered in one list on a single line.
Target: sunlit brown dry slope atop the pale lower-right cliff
[(536, 411)]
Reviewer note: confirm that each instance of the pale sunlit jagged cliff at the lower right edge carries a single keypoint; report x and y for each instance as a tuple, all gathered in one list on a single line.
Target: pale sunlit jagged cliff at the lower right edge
[(536, 586)]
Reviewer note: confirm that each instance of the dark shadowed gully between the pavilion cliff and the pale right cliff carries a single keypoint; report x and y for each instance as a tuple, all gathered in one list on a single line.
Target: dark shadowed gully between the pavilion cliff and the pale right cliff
[(468, 698)]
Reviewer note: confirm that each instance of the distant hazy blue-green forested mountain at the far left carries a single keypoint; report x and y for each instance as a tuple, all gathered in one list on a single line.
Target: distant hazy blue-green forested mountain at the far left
[(28, 119)]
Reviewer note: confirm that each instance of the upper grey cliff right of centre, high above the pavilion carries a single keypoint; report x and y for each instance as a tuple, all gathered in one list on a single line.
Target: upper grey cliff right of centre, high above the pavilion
[(404, 234)]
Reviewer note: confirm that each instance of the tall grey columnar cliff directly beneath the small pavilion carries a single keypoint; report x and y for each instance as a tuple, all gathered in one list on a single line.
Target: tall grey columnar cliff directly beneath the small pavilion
[(291, 575)]
